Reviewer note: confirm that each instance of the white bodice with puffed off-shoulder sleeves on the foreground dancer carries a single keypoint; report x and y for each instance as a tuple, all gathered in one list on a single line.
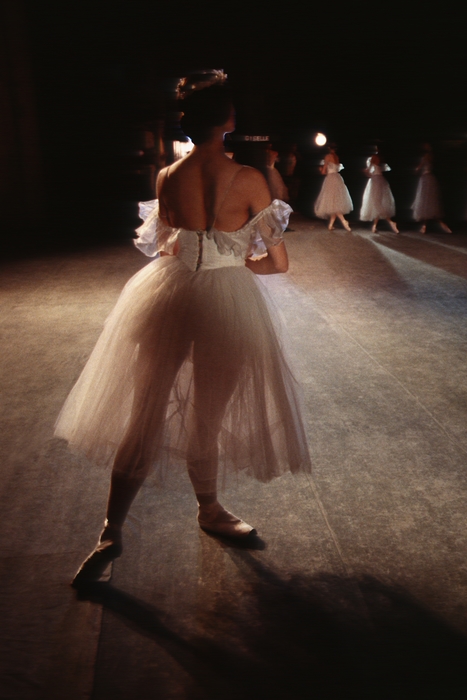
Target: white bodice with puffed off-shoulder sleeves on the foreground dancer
[(204, 250)]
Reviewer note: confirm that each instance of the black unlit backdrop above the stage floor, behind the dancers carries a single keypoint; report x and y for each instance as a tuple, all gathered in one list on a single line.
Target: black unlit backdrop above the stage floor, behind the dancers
[(83, 79)]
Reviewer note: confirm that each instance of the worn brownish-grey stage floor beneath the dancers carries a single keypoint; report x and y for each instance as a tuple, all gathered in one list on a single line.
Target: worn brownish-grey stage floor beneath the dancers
[(357, 584)]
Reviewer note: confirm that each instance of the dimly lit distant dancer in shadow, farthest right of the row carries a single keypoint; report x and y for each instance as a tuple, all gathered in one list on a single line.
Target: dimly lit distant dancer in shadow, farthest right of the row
[(427, 203)]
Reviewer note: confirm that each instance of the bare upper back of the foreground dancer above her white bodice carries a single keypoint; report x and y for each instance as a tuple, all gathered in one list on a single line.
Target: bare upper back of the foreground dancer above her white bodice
[(206, 188)]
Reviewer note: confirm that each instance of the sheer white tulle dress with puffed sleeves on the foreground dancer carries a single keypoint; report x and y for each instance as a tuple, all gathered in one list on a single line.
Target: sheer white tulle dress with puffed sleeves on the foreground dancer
[(190, 366)]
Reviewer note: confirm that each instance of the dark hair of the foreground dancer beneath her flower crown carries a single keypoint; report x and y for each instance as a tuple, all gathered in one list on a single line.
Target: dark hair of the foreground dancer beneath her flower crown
[(205, 109)]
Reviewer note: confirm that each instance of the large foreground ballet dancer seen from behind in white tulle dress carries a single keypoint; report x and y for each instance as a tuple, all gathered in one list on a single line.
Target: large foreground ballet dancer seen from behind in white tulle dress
[(189, 367)]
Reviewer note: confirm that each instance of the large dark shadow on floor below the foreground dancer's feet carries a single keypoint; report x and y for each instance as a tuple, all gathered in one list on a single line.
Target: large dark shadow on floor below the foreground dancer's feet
[(321, 637)]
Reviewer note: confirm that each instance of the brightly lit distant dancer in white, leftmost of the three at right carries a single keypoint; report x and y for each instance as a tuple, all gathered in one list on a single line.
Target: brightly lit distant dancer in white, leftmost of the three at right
[(334, 199)]
